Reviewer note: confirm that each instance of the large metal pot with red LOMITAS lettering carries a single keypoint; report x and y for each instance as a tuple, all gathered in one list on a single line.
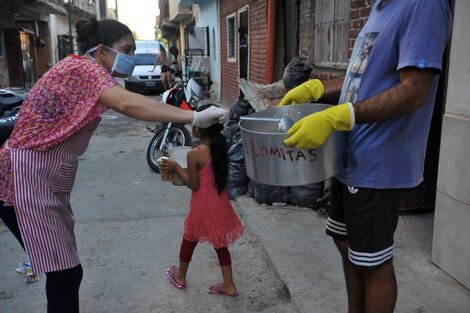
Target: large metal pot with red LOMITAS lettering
[(269, 161)]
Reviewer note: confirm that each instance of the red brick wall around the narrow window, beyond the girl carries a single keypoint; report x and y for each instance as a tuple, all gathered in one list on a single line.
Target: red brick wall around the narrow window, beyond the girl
[(257, 46)]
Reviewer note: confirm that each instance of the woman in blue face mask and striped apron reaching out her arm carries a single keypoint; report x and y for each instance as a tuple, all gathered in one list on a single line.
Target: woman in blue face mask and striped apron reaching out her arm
[(38, 162)]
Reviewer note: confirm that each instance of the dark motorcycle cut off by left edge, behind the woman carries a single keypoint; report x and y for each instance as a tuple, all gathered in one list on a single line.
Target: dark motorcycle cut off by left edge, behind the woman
[(10, 103)]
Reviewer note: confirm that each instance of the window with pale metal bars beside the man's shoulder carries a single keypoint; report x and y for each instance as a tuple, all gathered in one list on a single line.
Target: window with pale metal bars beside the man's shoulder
[(332, 23)]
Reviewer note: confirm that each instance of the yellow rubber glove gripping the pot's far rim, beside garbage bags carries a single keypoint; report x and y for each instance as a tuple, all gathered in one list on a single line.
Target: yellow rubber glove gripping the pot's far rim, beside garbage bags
[(311, 90)]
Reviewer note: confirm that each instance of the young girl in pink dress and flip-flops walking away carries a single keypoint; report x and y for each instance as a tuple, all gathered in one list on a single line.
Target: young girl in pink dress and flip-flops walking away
[(211, 217)]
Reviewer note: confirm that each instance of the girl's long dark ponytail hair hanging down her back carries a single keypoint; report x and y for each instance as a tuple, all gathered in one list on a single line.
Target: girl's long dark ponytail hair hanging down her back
[(219, 149)]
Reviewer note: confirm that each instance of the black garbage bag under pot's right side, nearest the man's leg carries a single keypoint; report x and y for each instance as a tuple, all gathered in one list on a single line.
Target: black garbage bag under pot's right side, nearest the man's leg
[(309, 196)]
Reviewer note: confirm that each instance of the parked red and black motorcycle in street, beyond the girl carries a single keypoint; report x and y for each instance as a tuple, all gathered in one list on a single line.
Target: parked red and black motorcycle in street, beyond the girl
[(185, 96)]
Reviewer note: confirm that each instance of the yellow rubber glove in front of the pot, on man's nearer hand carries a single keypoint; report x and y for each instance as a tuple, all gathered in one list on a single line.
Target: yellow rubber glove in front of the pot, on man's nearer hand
[(313, 130)]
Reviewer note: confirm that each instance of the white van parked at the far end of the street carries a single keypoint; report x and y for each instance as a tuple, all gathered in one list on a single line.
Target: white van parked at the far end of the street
[(143, 79)]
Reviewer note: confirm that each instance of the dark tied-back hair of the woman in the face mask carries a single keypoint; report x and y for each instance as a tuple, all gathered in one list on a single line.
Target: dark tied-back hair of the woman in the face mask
[(92, 33)]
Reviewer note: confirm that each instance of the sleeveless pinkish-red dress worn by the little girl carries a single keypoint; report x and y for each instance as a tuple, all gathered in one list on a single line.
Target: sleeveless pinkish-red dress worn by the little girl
[(211, 216)]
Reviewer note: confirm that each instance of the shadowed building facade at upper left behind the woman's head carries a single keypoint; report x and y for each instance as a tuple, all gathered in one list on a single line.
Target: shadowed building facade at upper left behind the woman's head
[(34, 35)]
